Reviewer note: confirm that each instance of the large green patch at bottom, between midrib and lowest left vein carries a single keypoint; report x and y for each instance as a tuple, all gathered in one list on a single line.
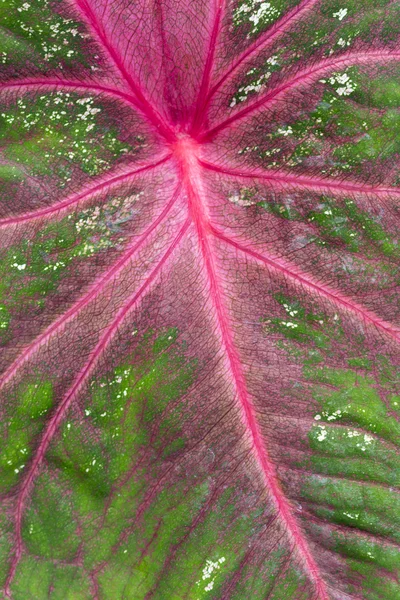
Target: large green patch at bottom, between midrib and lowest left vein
[(99, 503)]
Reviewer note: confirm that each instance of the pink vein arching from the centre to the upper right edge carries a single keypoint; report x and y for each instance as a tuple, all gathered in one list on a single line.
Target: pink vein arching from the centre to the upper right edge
[(302, 77)]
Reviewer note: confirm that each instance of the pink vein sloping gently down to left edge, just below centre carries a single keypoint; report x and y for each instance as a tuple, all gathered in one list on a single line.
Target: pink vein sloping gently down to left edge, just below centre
[(103, 183)]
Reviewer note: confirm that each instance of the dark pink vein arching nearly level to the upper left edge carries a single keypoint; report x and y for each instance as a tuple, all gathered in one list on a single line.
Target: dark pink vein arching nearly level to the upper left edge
[(57, 83)]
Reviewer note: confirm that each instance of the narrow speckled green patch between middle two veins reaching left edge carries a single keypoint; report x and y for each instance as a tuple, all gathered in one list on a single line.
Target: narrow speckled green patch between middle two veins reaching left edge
[(35, 268)]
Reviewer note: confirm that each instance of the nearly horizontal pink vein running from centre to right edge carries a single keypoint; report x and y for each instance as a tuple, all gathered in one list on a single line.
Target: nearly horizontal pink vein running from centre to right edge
[(302, 181)]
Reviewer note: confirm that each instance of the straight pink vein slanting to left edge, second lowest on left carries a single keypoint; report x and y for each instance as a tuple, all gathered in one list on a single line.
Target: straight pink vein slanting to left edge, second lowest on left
[(91, 295)]
